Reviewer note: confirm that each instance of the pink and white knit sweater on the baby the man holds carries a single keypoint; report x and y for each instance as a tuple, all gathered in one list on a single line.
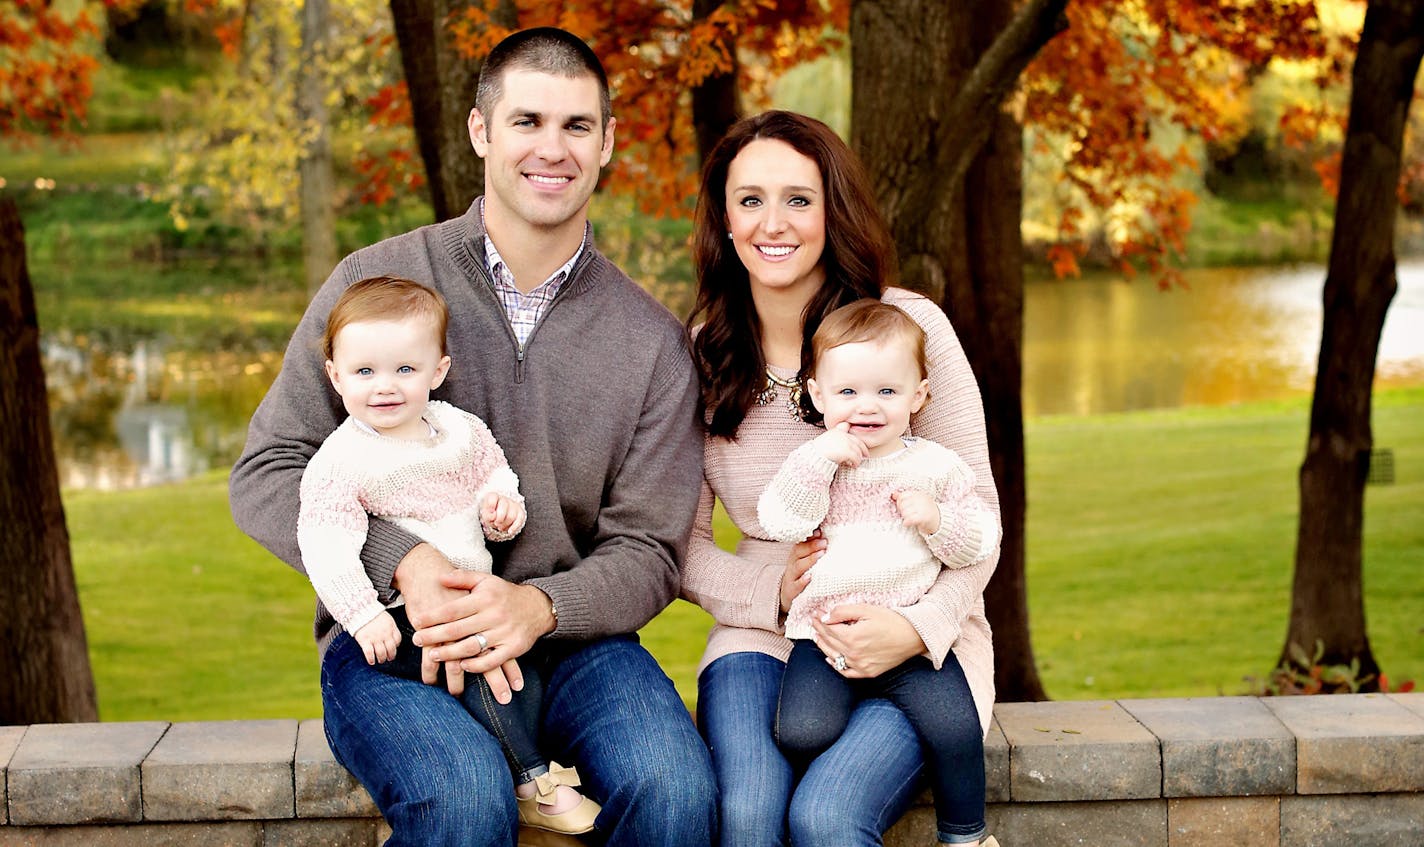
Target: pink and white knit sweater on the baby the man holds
[(431, 488)]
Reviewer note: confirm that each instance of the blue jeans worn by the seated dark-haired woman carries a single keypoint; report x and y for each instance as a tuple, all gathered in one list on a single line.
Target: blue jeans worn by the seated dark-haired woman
[(848, 798)]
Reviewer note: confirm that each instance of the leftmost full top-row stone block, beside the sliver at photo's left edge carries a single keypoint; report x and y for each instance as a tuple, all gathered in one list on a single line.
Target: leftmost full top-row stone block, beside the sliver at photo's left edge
[(76, 774)]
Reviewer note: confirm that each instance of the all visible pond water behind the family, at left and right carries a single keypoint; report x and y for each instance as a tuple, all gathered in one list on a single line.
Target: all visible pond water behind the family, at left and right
[(155, 374)]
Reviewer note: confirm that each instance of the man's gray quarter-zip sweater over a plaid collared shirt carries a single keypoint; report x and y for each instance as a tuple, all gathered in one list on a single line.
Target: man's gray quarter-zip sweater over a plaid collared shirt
[(597, 415)]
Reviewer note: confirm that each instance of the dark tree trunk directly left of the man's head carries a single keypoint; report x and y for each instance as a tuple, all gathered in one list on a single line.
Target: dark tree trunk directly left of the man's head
[(442, 93)]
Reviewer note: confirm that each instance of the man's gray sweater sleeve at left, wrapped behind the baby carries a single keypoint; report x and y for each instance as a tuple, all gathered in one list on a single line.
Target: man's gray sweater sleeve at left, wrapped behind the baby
[(297, 415)]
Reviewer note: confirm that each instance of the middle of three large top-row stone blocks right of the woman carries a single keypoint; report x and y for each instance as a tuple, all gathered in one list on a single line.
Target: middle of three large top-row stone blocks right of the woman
[(1220, 747)]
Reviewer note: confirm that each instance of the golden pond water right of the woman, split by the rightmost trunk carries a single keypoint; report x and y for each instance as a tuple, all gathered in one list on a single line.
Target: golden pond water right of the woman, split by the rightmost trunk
[(1235, 335)]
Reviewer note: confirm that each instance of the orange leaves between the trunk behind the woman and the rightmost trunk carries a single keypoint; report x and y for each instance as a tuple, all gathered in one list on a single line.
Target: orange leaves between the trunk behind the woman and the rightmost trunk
[(1117, 93)]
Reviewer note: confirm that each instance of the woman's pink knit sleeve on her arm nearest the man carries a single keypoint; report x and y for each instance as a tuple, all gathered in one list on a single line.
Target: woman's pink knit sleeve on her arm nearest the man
[(735, 591)]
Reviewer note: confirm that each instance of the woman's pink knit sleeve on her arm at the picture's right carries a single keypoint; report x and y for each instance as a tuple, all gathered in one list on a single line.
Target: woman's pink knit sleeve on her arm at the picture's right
[(955, 419)]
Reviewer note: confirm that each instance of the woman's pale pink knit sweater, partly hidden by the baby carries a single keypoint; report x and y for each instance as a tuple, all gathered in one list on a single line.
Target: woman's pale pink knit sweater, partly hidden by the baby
[(743, 591)]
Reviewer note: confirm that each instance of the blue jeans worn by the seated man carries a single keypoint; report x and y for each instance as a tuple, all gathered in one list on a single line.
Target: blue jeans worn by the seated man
[(441, 779)]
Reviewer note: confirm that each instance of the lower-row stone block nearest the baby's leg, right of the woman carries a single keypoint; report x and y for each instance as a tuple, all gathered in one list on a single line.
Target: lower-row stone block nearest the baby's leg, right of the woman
[(1136, 824)]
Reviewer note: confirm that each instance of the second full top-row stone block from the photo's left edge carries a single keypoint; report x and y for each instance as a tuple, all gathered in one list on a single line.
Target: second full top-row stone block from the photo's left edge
[(223, 771)]
